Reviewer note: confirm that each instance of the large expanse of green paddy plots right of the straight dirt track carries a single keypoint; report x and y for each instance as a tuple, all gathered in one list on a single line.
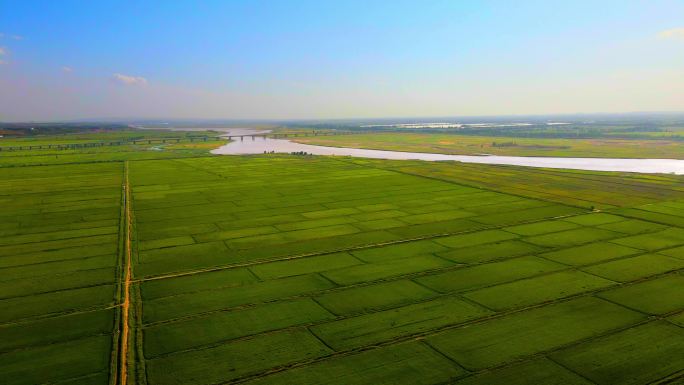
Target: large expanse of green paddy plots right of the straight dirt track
[(285, 270)]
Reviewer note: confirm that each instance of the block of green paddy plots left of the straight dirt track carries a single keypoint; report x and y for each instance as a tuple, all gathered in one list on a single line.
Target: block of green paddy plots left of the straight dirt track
[(59, 272)]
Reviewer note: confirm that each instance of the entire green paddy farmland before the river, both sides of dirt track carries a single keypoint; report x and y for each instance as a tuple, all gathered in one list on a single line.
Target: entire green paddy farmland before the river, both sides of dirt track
[(312, 270)]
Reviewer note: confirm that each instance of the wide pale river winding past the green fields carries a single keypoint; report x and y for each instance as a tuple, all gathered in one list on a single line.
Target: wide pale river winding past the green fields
[(259, 145)]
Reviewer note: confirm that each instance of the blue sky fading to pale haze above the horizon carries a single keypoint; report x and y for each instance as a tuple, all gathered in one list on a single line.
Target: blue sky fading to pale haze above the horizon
[(293, 59)]
